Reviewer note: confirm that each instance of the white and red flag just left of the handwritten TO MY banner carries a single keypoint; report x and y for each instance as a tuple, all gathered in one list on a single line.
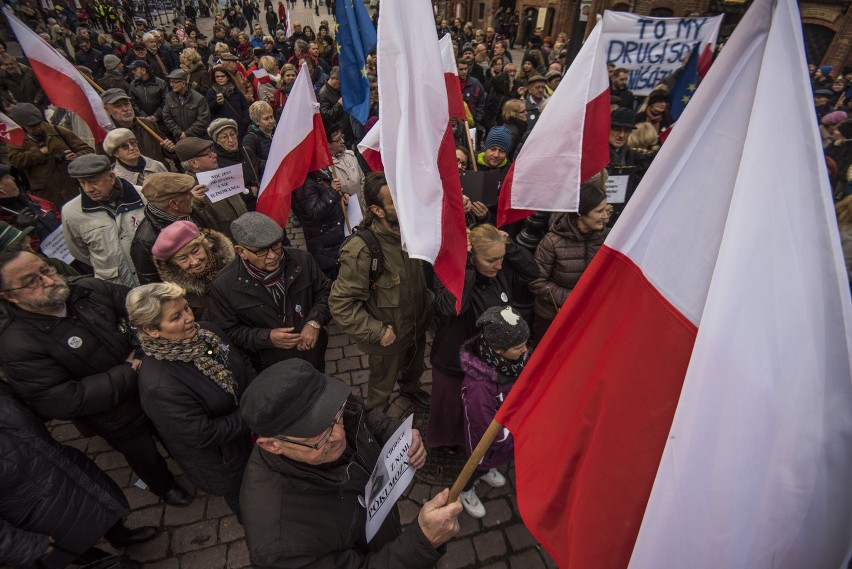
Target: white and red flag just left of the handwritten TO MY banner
[(569, 144)]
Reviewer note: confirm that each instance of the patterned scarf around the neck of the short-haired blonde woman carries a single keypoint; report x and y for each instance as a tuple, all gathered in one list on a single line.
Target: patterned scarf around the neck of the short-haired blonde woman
[(205, 350)]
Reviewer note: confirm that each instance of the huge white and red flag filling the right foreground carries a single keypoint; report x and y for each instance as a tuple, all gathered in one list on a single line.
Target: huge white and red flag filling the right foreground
[(690, 405)]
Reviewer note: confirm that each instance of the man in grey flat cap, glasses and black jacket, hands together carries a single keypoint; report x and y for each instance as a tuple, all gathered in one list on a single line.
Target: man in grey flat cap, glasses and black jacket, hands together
[(272, 300)]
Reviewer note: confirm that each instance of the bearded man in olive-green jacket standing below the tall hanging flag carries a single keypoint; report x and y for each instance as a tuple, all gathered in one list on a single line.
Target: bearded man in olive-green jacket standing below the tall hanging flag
[(389, 317)]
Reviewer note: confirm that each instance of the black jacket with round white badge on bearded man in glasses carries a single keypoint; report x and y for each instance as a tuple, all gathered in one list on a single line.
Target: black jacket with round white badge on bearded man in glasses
[(74, 367)]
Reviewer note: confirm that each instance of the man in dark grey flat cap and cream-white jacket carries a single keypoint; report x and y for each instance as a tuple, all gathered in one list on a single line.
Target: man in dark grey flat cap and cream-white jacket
[(99, 224)]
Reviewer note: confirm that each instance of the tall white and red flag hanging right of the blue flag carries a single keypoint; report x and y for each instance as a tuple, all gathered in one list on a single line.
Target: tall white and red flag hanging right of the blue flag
[(416, 138)]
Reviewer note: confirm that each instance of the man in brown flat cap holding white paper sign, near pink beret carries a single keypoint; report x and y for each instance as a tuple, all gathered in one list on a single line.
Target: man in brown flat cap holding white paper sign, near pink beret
[(197, 155)]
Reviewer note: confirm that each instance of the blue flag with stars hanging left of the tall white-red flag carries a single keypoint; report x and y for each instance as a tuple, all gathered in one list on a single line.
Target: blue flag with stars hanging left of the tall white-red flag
[(356, 37)]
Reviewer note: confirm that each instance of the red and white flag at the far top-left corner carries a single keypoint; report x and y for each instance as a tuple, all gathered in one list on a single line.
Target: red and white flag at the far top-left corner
[(62, 83)]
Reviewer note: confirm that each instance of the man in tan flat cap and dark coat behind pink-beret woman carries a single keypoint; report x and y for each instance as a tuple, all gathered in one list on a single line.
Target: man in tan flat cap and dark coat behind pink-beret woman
[(170, 198)]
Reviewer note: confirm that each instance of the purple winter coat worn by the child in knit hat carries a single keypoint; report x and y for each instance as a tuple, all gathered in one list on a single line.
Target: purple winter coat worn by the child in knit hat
[(482, 395)]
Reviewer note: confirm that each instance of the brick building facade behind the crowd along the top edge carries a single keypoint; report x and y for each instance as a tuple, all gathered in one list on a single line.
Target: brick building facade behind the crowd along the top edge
[(827, 24)]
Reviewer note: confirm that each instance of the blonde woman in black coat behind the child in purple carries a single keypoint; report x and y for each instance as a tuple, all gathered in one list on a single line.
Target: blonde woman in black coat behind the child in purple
[(497, 269)]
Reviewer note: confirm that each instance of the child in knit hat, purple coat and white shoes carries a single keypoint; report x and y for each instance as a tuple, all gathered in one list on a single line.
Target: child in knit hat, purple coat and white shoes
[(492, 362)]
